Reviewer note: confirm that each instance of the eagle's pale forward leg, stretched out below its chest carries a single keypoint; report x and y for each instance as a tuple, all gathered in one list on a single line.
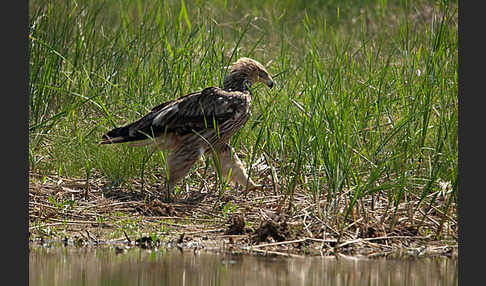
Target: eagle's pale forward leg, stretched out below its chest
[(229, 160)]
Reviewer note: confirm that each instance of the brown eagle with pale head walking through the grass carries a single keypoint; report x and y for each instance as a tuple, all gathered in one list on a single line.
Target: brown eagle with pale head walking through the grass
[(199, 123)]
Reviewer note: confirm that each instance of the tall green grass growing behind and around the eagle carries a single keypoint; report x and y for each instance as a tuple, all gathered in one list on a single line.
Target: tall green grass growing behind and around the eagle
[(365, 102)]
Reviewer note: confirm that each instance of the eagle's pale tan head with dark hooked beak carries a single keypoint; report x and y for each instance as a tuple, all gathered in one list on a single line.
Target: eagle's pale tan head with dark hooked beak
[(246, 72)]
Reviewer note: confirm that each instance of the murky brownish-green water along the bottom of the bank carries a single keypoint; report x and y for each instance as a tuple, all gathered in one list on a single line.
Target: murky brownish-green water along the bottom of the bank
[(135, 266)]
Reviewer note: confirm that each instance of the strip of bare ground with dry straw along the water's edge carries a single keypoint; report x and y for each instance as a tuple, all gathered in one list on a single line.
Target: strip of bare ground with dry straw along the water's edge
[(260, 222)]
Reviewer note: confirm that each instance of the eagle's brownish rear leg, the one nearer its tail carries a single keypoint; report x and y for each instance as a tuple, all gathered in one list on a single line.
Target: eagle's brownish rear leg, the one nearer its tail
[(179, 163)]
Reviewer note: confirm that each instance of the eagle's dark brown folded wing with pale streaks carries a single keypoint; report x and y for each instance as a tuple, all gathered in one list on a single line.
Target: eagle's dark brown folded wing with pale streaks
[(194, 112)]
